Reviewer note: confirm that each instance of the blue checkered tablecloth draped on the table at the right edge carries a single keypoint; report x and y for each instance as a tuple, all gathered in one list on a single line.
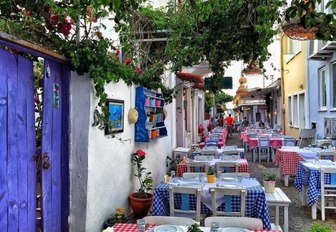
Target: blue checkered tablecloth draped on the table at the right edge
[(306, 175)]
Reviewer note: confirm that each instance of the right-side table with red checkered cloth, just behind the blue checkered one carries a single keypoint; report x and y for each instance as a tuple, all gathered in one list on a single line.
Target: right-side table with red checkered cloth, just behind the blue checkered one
[(288, 160)]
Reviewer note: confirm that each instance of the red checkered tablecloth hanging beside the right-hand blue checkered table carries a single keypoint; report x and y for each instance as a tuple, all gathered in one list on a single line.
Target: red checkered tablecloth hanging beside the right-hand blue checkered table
[(288, 161)]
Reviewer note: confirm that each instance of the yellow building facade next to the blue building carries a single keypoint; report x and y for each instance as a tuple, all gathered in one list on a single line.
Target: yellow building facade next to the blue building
[(293, 85)]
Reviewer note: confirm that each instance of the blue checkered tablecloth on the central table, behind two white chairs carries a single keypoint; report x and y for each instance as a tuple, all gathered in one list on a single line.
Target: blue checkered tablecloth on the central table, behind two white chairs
[(255, 203)]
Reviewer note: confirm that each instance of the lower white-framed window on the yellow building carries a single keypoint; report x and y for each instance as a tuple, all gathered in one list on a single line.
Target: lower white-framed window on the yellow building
[(296, 110)]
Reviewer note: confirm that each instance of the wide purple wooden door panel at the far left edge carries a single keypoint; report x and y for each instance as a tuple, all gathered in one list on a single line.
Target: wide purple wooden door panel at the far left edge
[(17, 144)]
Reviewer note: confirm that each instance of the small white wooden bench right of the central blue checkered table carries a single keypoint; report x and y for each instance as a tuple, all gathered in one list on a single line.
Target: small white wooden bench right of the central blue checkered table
[(279, 199)]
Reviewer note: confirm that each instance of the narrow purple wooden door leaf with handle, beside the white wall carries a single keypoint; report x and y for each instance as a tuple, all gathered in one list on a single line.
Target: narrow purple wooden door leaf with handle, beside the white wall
[(54, 146)]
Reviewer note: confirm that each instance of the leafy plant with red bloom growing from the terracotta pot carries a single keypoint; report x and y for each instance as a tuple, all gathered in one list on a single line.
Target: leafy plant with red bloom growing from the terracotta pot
[(145, 178)]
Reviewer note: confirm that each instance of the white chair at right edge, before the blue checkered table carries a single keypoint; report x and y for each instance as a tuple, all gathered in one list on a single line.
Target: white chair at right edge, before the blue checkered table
[(327, 198)]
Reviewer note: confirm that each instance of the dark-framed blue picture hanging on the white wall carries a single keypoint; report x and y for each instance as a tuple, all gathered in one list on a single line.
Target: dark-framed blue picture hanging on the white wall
[(116, 119)]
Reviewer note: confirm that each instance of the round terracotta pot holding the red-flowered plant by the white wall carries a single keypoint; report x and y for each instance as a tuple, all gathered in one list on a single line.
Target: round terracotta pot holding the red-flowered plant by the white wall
[(140, 206)]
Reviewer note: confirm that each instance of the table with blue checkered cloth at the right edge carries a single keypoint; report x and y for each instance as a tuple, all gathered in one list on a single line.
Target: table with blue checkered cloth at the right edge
[(307, 181)]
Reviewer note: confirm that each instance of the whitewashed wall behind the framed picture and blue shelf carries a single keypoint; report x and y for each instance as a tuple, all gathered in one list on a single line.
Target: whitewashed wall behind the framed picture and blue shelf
[(100, 166)]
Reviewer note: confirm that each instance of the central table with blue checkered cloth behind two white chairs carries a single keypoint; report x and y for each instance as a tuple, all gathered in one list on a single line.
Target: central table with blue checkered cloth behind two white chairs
[(256, 205)]
